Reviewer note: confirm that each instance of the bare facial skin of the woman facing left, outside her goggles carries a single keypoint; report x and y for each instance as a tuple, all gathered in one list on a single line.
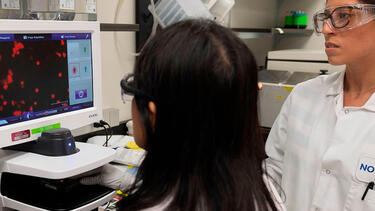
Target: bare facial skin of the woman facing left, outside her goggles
[(349, 47)]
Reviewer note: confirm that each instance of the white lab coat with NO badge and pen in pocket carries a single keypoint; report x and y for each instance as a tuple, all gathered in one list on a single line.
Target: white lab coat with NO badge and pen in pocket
[(323, 154)]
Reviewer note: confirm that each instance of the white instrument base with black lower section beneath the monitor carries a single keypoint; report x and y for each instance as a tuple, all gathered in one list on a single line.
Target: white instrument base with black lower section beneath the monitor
[(31, 181)]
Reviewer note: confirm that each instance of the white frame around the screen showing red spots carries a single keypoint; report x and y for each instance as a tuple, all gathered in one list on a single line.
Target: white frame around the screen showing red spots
[(71, 120)]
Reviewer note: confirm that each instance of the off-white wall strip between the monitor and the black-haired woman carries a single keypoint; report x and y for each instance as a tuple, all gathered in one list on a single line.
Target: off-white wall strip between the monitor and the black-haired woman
[(117, 52)]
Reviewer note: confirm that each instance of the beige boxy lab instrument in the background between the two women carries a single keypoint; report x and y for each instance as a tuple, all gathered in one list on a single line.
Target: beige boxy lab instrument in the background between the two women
[(284, 70)]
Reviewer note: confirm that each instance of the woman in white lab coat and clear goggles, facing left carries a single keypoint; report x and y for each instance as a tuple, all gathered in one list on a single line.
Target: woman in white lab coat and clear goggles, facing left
[(322, 145)]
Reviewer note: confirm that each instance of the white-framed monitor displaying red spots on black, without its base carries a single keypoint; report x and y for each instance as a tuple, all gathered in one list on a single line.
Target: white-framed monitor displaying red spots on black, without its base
[(50, 77)]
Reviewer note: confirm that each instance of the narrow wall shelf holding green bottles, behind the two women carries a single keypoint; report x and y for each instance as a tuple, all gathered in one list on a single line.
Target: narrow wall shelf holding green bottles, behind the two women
[(250, 33)]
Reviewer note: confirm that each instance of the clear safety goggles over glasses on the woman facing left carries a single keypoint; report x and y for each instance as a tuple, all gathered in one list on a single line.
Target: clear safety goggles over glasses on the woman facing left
[(344, 17)]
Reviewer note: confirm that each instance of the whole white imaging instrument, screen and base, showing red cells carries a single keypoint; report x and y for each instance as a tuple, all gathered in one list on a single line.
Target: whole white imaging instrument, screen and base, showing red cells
[(52, 80)]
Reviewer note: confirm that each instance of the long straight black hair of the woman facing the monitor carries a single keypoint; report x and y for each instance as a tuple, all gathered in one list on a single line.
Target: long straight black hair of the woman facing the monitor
[(205, 149)]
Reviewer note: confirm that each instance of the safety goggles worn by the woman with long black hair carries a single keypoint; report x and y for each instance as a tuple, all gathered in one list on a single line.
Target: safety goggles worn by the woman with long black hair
[(128, 89)]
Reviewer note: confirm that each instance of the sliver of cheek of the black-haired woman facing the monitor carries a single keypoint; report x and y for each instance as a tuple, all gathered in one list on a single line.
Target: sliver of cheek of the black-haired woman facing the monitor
[(138, 128)]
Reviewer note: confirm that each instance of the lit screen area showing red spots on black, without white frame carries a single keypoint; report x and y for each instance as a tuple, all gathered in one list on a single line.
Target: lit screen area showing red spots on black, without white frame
[(43, 75)]
